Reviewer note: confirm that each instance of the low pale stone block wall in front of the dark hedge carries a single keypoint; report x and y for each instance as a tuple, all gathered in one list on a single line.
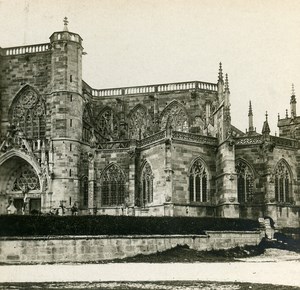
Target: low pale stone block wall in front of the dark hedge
[(36, 250)]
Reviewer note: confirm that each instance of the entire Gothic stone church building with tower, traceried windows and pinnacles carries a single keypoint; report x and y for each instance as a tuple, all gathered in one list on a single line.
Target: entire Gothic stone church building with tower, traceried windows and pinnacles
[(163, 150)]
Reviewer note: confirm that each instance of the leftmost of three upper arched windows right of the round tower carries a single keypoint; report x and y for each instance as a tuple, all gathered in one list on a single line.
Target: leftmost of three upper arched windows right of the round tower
[(108, 125)]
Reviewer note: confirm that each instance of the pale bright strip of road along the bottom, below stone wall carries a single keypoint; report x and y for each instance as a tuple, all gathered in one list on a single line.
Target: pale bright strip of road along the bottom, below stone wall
[(278, 273)]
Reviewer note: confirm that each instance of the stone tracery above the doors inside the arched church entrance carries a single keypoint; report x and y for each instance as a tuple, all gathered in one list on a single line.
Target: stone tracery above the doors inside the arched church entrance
[(27, 180)]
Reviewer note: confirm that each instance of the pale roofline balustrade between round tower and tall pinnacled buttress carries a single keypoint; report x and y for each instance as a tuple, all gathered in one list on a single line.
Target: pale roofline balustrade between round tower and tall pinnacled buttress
[(182, 86)]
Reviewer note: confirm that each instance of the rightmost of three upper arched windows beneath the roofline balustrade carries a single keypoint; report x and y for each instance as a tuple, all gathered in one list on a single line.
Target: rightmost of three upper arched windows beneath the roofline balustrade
[(174, 115)]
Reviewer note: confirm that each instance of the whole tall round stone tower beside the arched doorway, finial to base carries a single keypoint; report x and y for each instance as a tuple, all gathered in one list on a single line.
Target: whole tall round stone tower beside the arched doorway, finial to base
[(66, 109)]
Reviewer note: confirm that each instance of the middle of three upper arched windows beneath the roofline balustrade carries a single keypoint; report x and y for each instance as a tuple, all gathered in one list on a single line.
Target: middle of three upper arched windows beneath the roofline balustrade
[(138, 123)]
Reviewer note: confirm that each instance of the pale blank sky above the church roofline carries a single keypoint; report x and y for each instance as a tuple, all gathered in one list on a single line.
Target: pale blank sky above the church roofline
[(139, 42)]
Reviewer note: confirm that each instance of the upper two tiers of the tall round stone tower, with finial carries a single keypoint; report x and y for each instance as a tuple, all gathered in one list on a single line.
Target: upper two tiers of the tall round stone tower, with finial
[(66, 83)]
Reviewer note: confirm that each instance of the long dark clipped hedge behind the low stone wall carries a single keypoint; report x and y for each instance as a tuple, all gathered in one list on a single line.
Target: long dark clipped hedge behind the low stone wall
[(35, 225)]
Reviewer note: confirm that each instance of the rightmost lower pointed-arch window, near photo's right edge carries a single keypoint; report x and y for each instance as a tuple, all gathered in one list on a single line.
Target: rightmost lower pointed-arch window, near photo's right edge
[(282, 182)]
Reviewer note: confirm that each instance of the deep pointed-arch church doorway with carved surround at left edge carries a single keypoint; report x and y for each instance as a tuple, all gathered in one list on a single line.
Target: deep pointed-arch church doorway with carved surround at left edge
[(20, 187)]
